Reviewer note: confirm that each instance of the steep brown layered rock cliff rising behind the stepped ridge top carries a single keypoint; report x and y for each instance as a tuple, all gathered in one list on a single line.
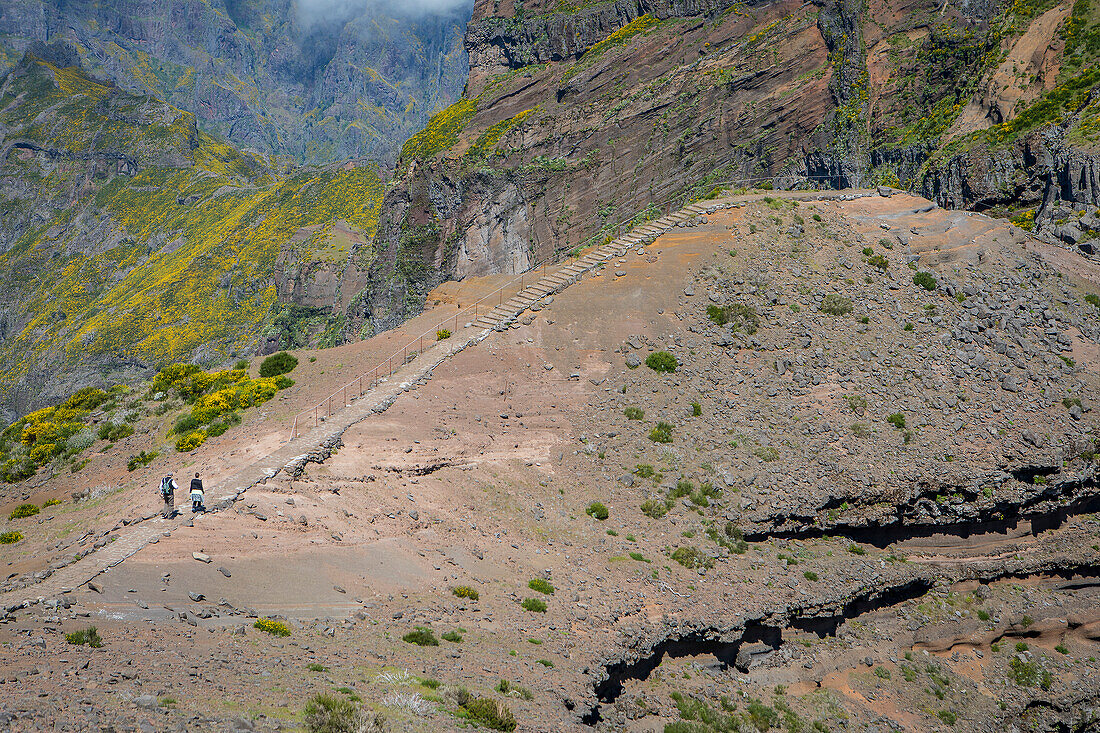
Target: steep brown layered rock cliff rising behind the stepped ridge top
[(579, 116)]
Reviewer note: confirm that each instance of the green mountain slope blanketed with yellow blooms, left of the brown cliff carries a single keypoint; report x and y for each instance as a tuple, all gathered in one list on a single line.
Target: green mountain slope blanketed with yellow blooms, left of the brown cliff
[(129, 238)]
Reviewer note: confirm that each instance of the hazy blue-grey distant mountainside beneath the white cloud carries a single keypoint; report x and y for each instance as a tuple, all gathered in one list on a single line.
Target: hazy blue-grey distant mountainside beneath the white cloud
[(347, 81)]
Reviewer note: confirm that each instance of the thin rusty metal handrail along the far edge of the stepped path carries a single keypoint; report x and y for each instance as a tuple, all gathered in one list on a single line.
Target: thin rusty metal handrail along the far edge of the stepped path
[(388, 366)]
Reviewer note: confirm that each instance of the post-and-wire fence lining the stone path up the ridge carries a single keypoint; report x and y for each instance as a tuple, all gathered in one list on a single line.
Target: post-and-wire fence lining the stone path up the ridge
[(356, 389)]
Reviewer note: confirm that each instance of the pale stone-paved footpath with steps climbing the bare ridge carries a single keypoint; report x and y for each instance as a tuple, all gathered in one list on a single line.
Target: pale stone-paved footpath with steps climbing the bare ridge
[(317, 444)]
